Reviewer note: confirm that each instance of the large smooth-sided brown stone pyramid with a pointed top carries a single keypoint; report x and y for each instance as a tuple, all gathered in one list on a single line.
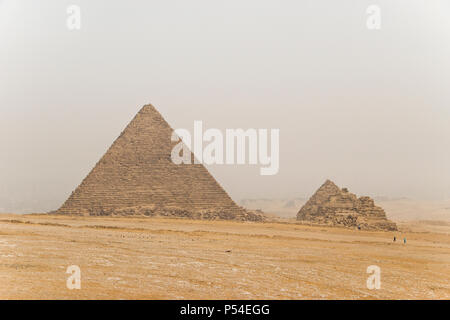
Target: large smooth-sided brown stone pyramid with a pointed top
[(137, 176)]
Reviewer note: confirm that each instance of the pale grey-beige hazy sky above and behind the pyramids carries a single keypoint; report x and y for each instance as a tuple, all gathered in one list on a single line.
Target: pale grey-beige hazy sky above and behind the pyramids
[(369, 109)]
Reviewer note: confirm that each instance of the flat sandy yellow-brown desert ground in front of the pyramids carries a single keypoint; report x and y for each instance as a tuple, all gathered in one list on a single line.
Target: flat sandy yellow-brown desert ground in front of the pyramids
[(162, 258)]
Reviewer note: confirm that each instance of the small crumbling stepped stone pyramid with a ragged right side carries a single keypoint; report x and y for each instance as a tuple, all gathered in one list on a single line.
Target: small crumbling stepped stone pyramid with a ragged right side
[(334, 206)]
